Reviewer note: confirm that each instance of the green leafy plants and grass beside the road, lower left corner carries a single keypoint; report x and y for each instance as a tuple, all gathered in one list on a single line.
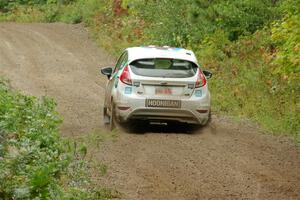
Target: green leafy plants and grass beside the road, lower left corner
[(35, 161)]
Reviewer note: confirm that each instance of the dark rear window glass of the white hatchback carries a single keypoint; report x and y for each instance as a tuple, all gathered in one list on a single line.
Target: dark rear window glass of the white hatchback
[(161, 67)]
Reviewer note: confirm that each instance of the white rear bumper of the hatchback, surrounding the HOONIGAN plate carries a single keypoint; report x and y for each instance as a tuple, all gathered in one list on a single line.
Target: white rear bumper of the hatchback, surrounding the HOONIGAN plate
[(187, 113)]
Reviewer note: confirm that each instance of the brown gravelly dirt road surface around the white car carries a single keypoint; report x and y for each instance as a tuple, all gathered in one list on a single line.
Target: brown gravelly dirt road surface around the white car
[(226, 160)]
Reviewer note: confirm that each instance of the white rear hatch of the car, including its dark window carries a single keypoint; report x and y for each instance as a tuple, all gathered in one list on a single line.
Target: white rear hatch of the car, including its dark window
[(162, 78)]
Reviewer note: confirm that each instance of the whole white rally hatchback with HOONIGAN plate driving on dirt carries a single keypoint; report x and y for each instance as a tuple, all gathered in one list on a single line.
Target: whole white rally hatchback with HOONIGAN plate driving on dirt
[(156, 84)]
